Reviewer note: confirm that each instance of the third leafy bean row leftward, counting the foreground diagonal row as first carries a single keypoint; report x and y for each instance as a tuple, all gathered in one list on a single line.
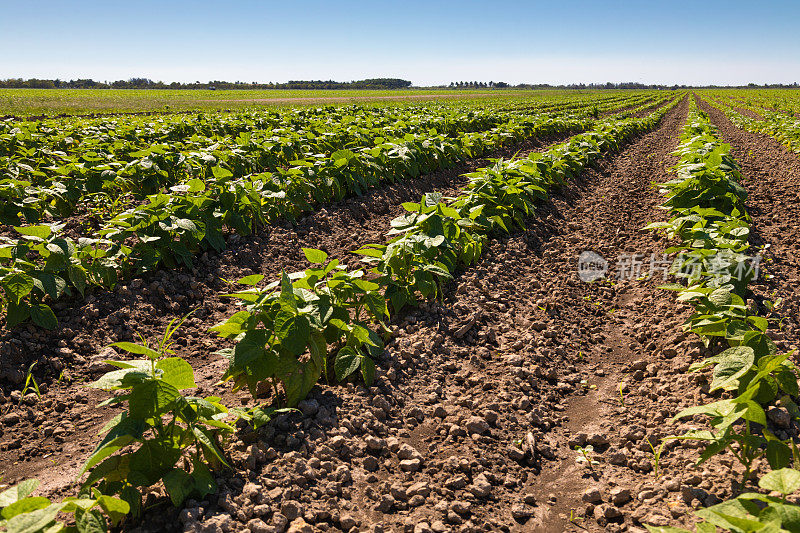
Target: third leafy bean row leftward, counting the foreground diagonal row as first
[(56, 183)]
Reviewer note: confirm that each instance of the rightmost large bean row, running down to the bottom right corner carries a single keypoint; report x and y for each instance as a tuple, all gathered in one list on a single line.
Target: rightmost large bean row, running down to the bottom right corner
[(710, 221)]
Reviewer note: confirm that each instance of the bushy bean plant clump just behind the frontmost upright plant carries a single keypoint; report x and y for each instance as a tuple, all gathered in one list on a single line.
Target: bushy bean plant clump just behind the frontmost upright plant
[(311, 324)]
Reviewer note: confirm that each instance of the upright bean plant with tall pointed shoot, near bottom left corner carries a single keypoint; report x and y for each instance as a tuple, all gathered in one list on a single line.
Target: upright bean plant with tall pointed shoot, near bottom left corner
[(164, 435)]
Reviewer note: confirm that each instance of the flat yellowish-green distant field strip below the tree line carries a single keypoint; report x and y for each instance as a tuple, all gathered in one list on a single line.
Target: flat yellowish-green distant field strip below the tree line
[(27, 102)]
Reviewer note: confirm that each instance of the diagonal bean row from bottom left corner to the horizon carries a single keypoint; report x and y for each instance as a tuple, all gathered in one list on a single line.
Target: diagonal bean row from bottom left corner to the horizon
[(321, 325)]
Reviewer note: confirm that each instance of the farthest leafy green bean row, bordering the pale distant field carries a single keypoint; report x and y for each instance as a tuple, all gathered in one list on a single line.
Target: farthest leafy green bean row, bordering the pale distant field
[(76, 136)]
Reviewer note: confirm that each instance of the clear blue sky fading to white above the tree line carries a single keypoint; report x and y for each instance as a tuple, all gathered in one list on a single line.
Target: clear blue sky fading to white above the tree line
[(726, 42)]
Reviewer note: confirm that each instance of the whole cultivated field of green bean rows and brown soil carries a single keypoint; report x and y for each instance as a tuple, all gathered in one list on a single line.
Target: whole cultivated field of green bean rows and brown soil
[(541, 311)]
